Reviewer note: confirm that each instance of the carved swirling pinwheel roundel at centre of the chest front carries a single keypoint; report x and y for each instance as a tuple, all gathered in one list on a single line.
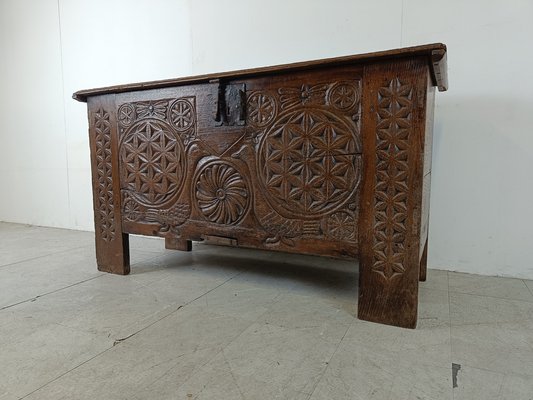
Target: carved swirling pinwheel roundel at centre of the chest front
[(222, 193)]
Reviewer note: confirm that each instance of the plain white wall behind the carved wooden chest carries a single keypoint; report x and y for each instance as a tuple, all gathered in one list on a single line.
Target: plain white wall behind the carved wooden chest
[(483, 150)]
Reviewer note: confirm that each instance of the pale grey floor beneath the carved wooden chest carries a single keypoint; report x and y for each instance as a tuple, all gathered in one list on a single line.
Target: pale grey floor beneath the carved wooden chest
[(222, 323)]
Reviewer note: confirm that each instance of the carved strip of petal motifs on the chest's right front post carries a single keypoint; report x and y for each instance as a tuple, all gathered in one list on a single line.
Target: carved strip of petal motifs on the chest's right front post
[(394, 117)]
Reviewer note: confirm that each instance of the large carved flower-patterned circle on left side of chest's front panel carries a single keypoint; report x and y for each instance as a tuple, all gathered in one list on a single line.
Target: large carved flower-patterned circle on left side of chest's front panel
[(152, 162)]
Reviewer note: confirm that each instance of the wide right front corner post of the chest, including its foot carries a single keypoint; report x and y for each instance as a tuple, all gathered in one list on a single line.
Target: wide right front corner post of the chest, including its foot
[(394, 110)]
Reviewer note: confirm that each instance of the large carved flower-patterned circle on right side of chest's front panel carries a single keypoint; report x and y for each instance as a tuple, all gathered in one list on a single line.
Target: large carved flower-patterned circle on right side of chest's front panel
[(307, 164)]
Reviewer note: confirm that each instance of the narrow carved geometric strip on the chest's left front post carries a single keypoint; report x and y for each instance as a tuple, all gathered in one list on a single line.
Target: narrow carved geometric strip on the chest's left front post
[(104, 187)]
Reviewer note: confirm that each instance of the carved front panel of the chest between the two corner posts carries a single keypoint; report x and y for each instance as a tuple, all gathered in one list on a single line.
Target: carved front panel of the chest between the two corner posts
[(287, 179)]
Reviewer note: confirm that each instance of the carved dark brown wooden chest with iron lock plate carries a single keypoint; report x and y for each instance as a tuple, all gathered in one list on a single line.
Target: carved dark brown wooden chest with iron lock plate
[(328, 158)]
